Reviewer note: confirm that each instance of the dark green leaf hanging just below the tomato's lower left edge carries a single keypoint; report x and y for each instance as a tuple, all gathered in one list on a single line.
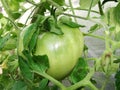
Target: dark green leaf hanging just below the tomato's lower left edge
[(25, 69)]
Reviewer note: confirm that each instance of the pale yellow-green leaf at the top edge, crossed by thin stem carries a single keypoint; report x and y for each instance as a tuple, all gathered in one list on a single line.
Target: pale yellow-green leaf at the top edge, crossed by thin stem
[(86, 3)]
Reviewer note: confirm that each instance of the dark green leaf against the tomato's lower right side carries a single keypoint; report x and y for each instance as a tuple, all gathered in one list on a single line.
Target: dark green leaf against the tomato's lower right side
[(79, 72)]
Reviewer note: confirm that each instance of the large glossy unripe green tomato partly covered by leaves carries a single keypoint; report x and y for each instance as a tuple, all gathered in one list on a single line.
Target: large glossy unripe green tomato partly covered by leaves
[(63, 51)]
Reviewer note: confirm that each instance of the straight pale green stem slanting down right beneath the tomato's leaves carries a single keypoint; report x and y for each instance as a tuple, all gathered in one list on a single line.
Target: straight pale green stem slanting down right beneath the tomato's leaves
[(56, 82)]
